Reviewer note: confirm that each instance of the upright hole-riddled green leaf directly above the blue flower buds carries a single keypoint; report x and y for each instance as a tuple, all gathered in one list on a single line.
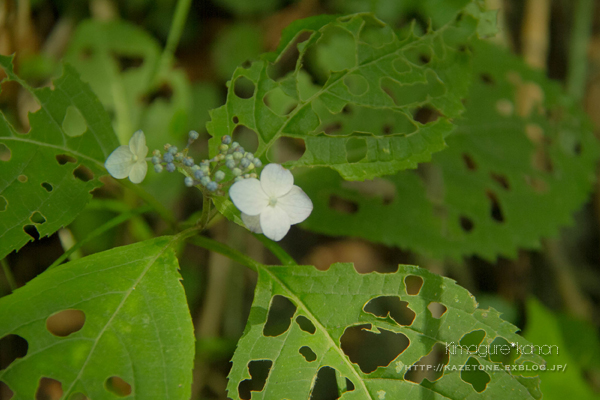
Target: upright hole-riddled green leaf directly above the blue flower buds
[(371, 69)]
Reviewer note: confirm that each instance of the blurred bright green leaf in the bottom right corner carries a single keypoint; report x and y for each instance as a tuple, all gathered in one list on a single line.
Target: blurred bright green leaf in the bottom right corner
[(575, 344)]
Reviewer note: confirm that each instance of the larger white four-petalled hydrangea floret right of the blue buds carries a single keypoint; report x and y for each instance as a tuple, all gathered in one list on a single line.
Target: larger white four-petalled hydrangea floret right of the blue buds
[(273, 204)]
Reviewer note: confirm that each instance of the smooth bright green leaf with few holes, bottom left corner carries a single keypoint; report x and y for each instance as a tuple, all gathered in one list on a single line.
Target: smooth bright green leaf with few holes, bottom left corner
[(130, 329)]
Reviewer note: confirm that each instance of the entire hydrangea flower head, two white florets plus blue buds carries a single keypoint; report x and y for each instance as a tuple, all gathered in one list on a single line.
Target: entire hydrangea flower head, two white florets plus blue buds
[(269, 205)]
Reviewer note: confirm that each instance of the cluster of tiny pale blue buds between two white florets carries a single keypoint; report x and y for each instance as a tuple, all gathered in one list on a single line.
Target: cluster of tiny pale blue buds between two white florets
[(207, 173)]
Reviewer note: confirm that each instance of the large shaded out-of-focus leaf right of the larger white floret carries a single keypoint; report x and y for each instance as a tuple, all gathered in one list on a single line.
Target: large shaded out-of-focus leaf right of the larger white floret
[(520, 162)]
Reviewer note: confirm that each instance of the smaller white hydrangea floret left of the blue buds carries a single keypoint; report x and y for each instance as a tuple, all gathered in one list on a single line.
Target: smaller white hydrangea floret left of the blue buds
[(129, 161)]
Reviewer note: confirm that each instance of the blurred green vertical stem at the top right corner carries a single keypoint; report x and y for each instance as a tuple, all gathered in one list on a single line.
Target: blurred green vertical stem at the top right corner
[(580, 38)]
